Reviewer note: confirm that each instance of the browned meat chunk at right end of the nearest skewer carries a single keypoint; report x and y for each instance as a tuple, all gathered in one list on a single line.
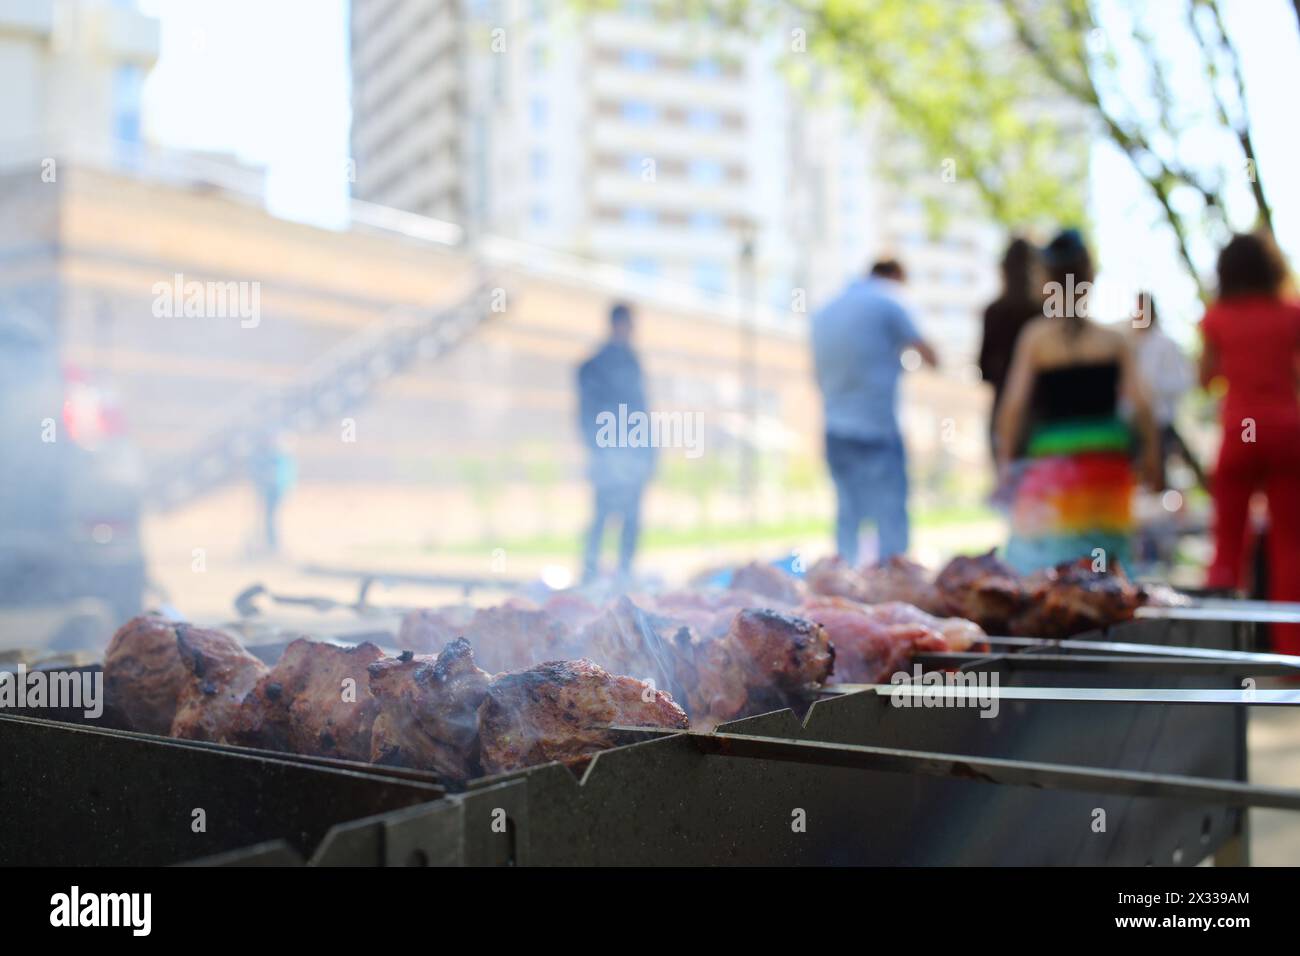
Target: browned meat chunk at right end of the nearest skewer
[(564, 711)]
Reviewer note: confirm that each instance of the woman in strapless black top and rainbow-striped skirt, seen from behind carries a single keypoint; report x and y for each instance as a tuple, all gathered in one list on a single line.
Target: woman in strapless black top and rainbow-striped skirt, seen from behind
[(1073, 486)]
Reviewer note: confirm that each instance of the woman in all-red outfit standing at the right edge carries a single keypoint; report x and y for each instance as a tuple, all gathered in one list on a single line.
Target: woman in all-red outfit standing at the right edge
[(1253, 340)]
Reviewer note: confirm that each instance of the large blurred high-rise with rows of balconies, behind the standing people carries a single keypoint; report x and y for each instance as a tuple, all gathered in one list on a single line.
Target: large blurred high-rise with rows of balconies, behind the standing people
[(664, 148)]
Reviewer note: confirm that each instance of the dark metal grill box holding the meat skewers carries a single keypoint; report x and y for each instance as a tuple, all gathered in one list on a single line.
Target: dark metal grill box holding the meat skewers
[(1119, 749)]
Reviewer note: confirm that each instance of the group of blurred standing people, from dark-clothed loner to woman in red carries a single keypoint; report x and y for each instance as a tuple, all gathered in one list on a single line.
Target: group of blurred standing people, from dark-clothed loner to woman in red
[(1085, 412)]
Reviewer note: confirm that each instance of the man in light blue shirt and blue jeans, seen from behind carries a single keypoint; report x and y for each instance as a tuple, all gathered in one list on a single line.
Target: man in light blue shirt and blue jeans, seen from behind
[(859, 340)]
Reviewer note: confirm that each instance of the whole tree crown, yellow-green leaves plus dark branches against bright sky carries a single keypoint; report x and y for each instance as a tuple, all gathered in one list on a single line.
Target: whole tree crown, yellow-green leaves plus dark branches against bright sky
[(1007, 96)]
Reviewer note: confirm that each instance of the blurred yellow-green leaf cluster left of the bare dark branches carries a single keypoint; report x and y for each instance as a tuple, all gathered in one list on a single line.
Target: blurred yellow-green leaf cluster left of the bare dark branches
[(964, 114)]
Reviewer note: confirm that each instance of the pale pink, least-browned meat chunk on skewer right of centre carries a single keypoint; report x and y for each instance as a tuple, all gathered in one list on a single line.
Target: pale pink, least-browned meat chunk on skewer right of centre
[(874, 642)]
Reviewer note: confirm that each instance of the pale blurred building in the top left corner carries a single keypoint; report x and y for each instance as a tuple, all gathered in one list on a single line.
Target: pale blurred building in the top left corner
[(71, 77)]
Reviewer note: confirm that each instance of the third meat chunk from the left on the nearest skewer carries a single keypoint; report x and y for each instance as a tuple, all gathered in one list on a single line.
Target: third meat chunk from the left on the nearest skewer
[(317, 700)]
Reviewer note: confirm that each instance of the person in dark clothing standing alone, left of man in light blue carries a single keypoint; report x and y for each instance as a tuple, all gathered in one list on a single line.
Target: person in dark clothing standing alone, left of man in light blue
[(612, 391)]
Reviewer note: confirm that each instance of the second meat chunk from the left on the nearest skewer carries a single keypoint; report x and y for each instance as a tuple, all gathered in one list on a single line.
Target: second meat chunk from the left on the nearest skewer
[(219, 676)]
